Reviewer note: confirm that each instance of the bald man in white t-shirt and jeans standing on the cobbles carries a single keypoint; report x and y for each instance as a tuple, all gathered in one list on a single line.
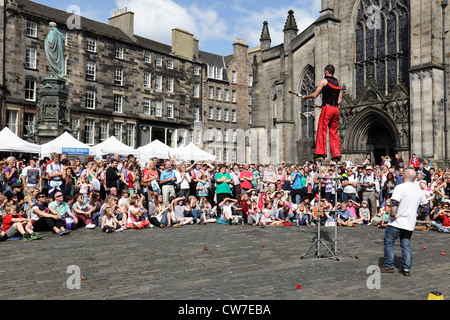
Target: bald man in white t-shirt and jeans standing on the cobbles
[(406, 201)]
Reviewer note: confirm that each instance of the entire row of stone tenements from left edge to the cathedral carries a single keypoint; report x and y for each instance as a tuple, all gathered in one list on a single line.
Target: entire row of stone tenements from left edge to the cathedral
[(119, 83)]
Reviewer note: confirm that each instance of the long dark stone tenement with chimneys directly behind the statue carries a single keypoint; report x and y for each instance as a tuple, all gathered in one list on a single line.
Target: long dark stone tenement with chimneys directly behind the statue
[(119, 84)]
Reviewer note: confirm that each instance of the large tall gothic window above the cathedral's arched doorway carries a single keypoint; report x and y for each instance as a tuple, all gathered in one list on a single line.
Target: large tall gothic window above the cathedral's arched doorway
[(382, 44)]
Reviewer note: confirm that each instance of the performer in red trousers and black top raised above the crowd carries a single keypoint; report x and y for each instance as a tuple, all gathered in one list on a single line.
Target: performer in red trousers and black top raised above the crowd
[(329, 117)]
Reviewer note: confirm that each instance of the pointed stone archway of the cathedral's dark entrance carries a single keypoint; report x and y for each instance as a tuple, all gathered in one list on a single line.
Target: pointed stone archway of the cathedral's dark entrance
[(371, 134)]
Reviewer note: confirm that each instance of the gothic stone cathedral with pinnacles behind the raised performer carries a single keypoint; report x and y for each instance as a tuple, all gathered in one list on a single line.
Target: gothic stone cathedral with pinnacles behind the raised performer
[(389, 60)]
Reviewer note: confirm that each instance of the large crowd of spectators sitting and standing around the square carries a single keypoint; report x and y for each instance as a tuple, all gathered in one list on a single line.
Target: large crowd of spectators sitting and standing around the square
[(59, 195)]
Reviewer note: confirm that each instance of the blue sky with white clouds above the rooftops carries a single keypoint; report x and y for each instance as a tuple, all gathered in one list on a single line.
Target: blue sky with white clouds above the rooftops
[(216, 24)]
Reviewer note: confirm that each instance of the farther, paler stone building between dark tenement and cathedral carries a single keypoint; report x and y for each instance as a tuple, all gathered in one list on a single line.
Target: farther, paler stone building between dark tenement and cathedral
[(227, 99)]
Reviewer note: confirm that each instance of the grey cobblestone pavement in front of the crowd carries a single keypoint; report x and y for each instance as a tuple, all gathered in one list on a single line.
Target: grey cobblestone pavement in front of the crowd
[(219, 262)]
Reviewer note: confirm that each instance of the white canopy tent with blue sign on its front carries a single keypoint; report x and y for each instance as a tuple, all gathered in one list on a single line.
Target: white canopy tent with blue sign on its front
[(66, 143)]
